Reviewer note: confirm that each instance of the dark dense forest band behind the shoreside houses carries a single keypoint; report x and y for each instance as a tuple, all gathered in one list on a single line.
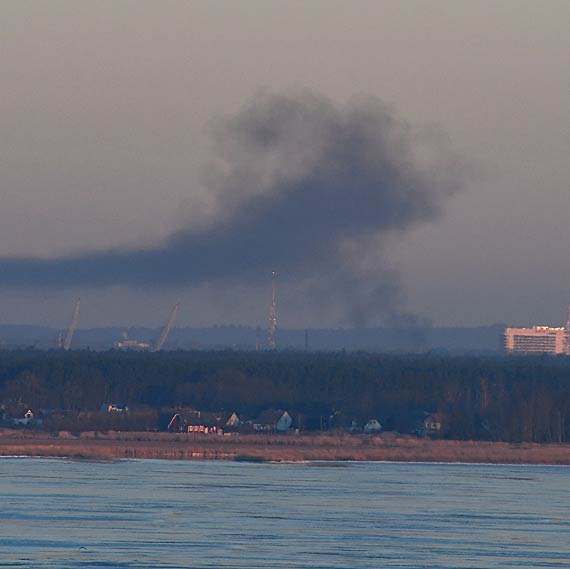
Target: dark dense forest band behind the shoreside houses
[(493, 398)]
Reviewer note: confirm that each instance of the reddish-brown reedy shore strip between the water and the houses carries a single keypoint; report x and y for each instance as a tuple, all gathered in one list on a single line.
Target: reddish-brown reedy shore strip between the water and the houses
[(337, 447)]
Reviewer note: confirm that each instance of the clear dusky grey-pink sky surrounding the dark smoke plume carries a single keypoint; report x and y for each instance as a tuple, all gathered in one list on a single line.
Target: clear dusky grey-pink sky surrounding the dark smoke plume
[(106, 115)]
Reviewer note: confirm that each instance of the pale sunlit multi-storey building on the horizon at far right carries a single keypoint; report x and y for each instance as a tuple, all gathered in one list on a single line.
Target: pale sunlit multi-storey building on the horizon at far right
[(536, 340)]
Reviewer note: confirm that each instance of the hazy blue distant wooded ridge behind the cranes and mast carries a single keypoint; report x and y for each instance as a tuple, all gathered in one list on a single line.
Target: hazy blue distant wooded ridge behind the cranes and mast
[(486, 339)]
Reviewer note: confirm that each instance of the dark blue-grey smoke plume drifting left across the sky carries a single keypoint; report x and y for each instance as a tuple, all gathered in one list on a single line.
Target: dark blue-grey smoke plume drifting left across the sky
[(301, 186)]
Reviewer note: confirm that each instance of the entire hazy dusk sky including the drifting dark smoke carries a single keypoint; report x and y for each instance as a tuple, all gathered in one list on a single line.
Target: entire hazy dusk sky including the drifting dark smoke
[(397, 163)]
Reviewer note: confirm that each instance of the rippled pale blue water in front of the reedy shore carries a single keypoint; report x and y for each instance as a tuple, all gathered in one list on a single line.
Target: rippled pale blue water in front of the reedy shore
[(80, 514)]
